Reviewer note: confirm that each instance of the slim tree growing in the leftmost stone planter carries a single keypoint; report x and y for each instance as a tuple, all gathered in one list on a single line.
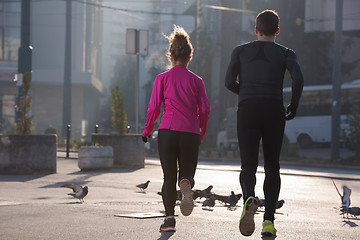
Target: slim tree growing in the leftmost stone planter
[(24, 124)]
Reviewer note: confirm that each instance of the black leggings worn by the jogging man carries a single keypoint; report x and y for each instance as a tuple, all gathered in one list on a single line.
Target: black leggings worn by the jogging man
[(261, 119)]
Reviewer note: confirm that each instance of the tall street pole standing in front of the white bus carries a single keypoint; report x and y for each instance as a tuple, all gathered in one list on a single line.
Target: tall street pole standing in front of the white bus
[(336, 89)]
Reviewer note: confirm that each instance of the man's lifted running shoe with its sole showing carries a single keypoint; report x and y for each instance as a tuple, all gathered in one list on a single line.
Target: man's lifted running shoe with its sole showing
[(247, 224)]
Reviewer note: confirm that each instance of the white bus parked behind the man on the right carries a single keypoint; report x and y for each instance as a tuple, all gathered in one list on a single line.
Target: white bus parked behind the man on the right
[(312, 123)]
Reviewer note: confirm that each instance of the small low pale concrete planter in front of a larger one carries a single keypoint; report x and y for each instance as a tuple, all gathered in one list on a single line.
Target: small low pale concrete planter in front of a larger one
[(91, 158)]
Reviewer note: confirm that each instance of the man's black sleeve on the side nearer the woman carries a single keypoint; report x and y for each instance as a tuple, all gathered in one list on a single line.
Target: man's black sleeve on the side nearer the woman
[(233, 72)]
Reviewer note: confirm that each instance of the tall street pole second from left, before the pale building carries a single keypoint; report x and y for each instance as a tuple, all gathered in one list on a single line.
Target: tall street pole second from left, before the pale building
[(67, 72)]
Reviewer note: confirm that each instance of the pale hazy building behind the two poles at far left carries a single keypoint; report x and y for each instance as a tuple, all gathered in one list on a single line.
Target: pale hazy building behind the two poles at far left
[(48, 41)]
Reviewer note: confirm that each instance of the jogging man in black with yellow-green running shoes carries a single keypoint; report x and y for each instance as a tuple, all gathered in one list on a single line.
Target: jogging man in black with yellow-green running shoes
[(256, 73)]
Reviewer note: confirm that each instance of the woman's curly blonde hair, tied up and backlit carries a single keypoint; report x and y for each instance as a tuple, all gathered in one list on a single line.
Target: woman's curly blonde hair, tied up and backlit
[(180, 47)]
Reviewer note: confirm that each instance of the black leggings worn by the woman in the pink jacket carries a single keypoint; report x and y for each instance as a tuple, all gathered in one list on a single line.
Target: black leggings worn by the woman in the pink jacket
[(176, 149)]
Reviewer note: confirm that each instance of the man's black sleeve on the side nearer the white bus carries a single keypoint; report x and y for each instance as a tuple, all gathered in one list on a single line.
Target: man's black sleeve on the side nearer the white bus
[(293, 67)]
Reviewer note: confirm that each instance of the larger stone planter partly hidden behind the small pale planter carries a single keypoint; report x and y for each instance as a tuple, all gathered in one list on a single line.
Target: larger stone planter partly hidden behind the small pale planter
[(129, 149)]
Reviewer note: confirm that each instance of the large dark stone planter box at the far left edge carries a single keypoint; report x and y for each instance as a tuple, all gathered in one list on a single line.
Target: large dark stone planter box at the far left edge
[(28, 154)]
